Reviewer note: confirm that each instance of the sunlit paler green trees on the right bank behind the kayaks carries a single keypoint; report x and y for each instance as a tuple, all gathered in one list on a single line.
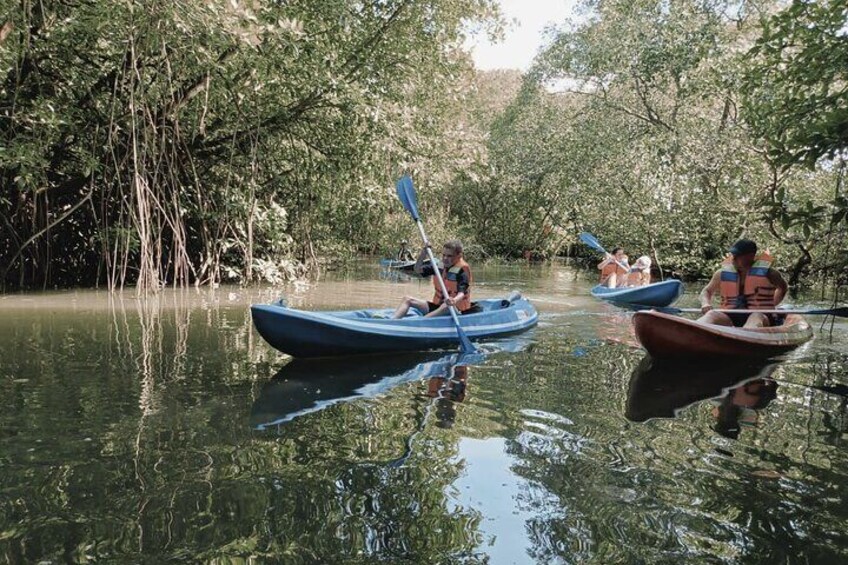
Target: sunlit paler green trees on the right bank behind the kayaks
[(628, 126)]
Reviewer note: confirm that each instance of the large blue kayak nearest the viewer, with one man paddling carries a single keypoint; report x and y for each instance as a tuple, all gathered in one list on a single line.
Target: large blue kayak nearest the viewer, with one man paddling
[(352, 332)]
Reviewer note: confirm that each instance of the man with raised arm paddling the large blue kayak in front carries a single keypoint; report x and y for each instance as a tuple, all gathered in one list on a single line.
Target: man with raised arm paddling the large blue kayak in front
[(457, 276)]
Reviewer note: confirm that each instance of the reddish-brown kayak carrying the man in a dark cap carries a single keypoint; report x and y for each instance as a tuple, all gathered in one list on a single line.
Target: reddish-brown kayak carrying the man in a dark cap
[(664, 335)]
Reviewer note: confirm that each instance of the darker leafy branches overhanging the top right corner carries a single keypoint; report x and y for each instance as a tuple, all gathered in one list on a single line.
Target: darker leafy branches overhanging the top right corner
[(795, 87)]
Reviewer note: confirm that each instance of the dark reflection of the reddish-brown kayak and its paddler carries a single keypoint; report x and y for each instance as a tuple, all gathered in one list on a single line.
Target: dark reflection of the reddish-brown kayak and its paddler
[(661, 390)]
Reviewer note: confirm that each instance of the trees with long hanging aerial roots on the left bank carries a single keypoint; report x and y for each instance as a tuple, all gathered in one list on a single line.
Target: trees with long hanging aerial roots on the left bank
[(188, 128)]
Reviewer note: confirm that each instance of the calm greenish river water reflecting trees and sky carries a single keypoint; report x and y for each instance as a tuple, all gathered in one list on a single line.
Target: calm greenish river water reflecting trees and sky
[(168, 430)]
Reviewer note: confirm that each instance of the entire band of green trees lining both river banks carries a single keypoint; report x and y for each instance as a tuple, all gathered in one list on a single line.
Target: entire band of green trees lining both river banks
[(163, 143)]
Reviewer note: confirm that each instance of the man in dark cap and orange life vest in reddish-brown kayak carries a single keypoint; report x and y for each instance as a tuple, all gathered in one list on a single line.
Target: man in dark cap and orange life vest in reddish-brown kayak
[(745, 281)]
